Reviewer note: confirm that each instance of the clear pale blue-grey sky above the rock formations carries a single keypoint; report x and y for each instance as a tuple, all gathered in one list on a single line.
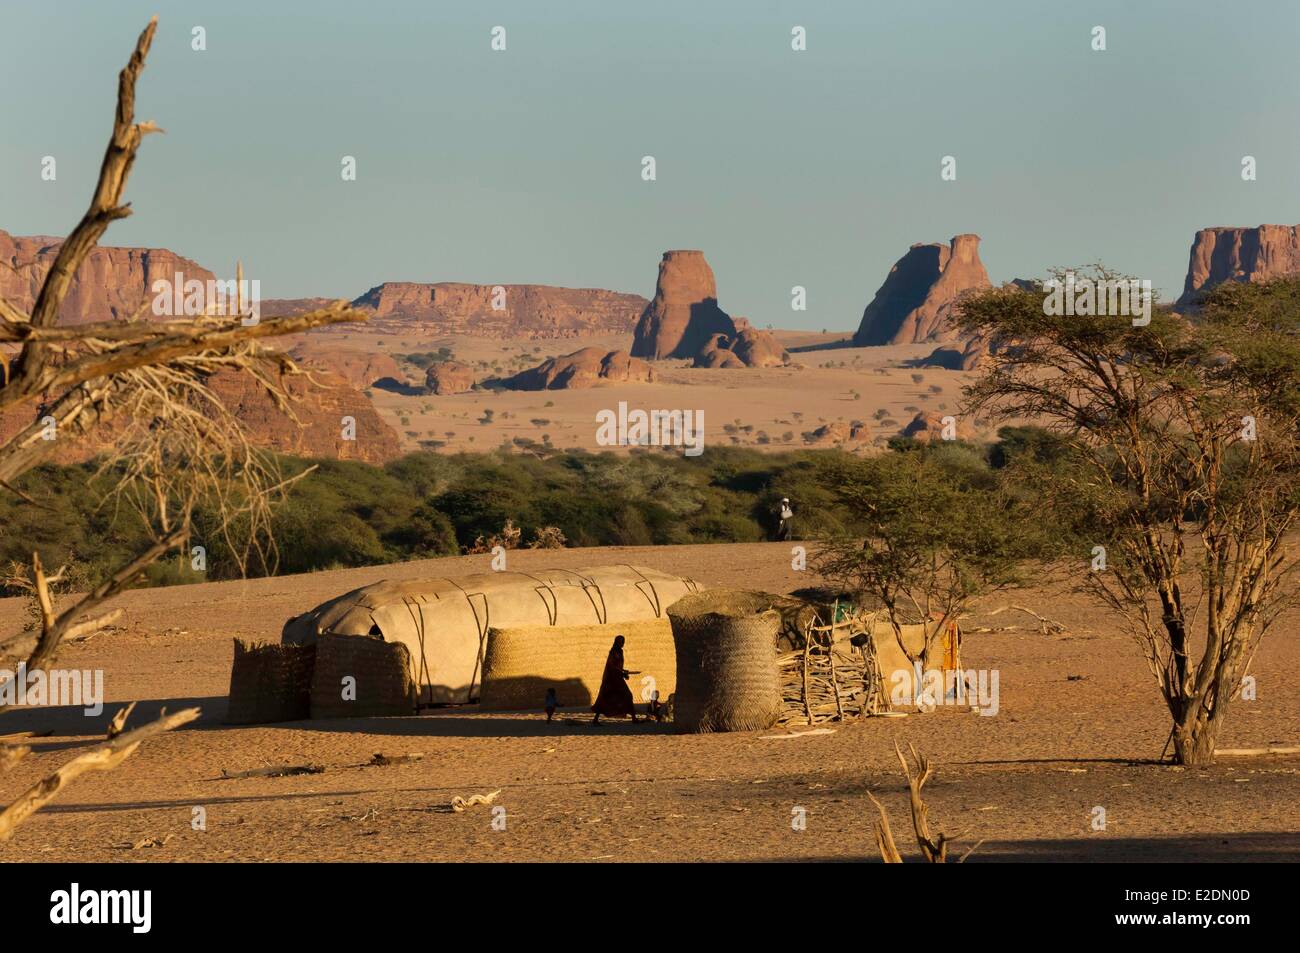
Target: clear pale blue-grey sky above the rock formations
[(813, 168)]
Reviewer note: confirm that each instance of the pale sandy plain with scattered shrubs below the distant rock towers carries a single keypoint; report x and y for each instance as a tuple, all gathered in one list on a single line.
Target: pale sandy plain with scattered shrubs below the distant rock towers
[(762, 408)]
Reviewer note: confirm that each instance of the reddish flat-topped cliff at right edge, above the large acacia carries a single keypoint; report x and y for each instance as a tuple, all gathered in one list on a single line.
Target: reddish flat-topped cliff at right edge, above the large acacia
[(1232, 254)]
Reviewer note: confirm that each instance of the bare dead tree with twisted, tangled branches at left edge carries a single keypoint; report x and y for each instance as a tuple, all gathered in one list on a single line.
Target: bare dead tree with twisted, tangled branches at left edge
[(144, 383)]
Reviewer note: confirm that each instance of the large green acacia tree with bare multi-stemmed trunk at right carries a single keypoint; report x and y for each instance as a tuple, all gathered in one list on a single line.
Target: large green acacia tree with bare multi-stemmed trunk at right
[(1181, 471)]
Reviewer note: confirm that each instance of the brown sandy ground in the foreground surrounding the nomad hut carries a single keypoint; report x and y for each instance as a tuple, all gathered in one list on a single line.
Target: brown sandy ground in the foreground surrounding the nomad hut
[(1080, 727)]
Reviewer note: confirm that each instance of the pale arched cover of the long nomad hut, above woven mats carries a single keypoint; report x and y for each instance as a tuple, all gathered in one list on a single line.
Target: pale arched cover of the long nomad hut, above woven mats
[(444, 623)]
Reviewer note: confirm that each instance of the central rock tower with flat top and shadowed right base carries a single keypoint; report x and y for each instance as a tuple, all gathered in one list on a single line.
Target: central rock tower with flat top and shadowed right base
[(684, 315)]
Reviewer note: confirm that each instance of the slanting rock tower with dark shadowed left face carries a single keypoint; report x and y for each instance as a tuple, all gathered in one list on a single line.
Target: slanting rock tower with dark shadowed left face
[(916, 302)]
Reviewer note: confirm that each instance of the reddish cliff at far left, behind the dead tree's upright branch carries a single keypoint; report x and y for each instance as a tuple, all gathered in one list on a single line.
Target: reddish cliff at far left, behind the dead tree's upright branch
[(112, 283)]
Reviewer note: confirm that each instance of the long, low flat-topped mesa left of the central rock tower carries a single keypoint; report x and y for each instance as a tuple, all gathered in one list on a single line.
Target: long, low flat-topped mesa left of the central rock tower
[(501, 311)]
